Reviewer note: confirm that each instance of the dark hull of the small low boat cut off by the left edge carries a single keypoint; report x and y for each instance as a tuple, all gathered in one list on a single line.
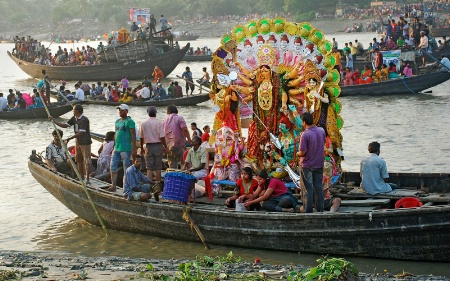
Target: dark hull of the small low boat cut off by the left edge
[(56, 109)]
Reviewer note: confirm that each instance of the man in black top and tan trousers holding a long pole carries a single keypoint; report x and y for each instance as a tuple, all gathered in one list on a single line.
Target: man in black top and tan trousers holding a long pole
[(81, 128)]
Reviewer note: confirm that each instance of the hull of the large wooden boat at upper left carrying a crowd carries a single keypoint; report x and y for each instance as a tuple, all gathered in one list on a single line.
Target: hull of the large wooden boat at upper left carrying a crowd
[(134, 69)]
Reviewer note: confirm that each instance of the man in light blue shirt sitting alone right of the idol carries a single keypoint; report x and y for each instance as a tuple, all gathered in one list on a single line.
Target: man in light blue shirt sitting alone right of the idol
[(374, 173)]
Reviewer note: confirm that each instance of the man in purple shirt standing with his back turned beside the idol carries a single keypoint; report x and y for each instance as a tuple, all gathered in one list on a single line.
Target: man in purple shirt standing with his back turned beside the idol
[(312, 144)]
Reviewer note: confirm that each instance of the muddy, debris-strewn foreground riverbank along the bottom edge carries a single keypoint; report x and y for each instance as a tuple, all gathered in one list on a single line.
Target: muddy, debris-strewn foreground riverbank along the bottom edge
[(21, 265)]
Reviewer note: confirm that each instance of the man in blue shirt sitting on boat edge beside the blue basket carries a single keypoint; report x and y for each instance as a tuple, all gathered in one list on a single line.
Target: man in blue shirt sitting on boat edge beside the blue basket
[(136, 186)]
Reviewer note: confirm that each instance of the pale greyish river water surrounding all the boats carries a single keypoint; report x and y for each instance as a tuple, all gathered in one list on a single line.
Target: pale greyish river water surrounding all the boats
[(414, 132)]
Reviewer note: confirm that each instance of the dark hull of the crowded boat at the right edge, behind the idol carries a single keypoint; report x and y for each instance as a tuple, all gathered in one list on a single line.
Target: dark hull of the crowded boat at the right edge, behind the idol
[(410, 85)]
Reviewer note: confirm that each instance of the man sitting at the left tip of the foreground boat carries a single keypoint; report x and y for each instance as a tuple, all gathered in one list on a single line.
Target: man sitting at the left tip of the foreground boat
[(55, 157)]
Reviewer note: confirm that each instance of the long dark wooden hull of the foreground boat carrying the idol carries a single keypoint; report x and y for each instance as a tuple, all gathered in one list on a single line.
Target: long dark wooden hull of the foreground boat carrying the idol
[(414, 233)]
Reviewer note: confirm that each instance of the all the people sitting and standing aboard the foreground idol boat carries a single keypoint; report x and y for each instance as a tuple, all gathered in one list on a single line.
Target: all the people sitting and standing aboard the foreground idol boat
[(255, 190)]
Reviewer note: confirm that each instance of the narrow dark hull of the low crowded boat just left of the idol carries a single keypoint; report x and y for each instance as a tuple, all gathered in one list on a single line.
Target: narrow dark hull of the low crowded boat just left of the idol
[(184, 101)]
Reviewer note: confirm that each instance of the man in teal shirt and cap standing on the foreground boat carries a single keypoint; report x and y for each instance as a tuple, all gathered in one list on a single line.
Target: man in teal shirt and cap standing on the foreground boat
[(124, 145)]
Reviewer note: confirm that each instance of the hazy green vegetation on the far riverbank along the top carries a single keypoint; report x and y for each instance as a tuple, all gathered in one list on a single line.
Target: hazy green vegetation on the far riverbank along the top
[(115, 11)]
